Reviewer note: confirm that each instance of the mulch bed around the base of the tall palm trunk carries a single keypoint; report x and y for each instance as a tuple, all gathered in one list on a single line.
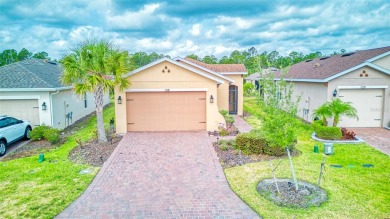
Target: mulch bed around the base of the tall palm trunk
[(93, 153)]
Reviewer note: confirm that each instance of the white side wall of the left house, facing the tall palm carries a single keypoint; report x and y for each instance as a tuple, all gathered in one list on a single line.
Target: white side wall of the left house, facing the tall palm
[(66, 101)]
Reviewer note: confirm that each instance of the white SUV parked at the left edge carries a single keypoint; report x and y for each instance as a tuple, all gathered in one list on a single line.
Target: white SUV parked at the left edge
[(12, 130)]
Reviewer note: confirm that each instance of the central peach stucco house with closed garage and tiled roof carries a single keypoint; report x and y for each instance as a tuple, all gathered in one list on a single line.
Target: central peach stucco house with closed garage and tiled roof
[(179, 94)]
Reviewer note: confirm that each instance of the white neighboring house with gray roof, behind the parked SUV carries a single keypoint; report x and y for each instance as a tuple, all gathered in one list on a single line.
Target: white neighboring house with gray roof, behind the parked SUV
[(32, 90)]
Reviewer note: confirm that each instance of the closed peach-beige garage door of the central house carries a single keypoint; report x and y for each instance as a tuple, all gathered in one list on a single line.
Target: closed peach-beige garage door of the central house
[(166, 111)]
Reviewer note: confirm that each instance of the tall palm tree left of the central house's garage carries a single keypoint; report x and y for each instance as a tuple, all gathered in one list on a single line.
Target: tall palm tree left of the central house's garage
[(96, 66)]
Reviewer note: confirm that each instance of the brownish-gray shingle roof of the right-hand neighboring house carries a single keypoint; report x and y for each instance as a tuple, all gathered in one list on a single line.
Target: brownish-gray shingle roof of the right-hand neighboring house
[(325, 67)]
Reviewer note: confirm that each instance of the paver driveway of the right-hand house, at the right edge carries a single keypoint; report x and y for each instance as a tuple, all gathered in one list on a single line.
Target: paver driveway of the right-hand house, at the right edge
[(379, 138)]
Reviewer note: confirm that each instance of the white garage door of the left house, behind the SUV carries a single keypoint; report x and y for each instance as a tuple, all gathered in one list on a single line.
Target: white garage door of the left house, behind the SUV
[(21, 109)]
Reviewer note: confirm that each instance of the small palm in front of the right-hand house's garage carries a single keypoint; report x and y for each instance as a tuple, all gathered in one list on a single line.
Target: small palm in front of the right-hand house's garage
[(340, 108)]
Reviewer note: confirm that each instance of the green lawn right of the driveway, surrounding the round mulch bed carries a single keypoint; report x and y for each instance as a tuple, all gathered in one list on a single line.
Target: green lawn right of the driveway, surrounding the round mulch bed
[(353, 192)]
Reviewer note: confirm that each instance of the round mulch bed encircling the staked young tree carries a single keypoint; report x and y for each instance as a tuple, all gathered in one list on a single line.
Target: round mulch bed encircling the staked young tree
[(306, 196)]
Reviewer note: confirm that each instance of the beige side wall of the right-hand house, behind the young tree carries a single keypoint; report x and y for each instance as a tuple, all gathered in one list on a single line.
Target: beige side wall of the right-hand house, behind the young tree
[(312, 95)]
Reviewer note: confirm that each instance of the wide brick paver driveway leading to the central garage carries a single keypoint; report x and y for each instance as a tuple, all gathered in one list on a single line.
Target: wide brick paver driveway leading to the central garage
[(160, 175)]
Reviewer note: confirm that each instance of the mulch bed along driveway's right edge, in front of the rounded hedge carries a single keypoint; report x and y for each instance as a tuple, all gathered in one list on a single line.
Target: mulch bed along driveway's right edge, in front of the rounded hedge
[(232, 157)]
